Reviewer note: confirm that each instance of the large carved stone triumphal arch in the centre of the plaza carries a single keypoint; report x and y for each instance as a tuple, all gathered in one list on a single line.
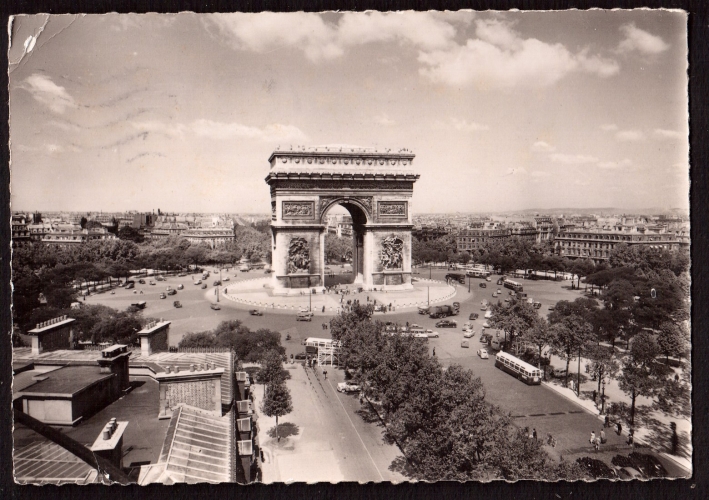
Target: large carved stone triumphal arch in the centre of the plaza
[(374, 186)]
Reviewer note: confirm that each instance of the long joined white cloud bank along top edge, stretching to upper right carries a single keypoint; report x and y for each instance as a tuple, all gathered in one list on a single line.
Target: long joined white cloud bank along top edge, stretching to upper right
[(496, 56)]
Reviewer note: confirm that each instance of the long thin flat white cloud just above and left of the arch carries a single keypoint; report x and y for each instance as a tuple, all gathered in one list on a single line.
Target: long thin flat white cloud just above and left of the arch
[(223, 131)]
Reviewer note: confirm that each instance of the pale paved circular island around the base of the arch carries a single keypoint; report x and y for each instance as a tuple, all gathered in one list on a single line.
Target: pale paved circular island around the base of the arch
[(257, 294)]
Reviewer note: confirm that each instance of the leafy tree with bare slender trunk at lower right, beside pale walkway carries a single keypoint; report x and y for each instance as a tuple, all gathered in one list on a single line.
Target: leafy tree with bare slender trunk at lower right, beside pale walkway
[(641, 374)]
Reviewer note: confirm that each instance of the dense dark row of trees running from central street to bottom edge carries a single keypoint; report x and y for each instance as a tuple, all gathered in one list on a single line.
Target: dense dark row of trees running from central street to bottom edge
[(439, 417)]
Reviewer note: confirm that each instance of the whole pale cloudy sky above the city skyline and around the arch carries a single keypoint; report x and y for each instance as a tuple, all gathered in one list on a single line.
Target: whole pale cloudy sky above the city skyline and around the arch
[(504, 111)]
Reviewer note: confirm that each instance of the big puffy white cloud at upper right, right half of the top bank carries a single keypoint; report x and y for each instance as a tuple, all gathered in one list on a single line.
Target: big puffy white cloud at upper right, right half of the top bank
[(500, 57)]
